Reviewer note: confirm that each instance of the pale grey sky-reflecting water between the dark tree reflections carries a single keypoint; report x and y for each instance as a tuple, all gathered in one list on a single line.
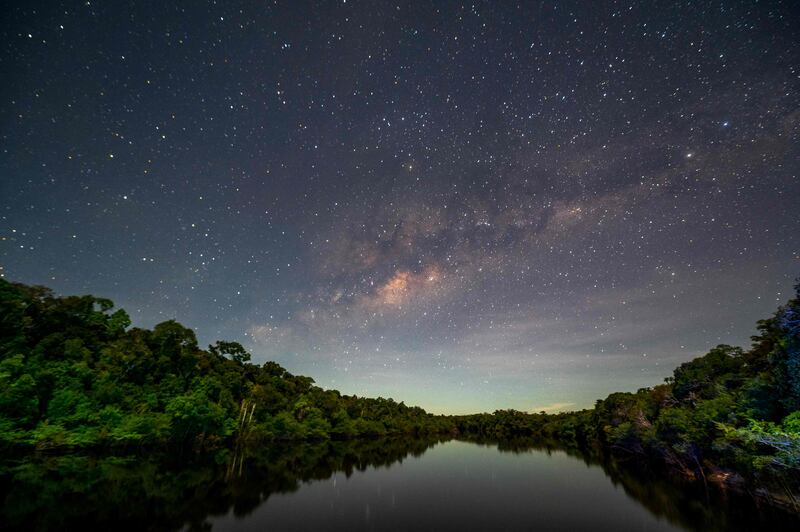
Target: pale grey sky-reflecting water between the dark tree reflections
[(458, 485)]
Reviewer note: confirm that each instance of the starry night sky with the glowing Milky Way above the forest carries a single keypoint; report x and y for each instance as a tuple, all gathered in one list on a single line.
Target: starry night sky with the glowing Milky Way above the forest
[(462, 206)]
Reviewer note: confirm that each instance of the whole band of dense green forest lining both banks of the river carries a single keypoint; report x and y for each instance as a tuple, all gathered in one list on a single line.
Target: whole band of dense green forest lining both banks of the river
[(74, 374)]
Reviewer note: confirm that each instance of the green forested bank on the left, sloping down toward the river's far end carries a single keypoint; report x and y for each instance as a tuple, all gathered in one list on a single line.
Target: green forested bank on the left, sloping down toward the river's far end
[(73, 373)]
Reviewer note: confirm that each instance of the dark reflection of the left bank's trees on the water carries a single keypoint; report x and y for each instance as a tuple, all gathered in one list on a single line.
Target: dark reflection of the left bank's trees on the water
[(166, 493)]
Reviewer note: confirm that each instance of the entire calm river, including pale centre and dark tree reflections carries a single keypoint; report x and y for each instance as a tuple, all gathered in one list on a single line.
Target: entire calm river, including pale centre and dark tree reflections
[(368, 485)]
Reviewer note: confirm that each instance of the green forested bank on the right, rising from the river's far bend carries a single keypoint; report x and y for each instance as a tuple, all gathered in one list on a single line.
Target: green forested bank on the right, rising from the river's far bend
[(731, 415)]
